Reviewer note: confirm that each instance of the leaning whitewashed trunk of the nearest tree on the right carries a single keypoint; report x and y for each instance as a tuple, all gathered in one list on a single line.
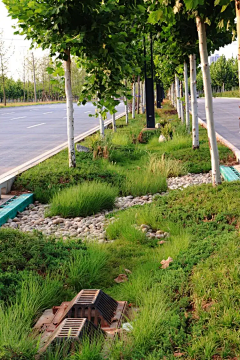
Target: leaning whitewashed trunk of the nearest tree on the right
[(216, 176)]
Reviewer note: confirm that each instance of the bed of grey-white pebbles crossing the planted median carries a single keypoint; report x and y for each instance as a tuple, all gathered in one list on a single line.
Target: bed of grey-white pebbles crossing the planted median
[(91, 227)]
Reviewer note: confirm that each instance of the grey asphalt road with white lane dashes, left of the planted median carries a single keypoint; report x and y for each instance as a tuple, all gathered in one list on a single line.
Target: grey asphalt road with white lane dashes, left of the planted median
[(28, 131)]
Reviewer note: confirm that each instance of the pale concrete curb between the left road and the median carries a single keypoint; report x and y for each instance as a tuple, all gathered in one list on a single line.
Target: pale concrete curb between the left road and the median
[(7, 179)]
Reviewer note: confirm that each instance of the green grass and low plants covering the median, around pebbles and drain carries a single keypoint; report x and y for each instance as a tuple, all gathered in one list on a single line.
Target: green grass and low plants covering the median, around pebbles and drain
[(190, 310)]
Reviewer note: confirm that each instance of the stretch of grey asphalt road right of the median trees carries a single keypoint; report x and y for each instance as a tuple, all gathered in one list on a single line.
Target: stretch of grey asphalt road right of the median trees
[(226, 118)]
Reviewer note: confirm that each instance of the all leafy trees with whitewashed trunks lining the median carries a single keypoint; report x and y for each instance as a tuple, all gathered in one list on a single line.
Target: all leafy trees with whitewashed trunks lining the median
[(110, 40)]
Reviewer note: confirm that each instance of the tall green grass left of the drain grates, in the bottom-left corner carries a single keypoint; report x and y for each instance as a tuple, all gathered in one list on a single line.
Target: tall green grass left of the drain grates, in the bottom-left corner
[(17, 319)]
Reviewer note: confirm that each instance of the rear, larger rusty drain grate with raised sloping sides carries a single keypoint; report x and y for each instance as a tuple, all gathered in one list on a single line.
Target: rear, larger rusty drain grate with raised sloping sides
[(95, 305)]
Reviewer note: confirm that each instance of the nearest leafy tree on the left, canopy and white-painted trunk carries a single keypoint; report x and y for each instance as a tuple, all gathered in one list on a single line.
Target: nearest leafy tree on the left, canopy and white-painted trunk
[(60, 27)]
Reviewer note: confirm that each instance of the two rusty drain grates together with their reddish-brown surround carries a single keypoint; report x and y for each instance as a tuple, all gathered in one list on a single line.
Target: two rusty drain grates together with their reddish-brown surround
[(91, 313)]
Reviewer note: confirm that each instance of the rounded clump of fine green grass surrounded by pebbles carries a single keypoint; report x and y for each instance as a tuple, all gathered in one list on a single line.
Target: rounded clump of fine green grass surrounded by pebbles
[(83, 200)]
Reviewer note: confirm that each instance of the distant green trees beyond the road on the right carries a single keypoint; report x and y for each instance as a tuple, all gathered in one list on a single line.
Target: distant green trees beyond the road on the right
[(224, 75)]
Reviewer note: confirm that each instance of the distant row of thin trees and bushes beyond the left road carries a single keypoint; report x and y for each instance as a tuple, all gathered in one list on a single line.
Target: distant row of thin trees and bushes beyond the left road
[(35, 82)]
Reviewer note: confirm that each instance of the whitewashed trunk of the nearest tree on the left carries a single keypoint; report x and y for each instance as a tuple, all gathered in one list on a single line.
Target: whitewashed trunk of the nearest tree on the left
[(70, 119)]
